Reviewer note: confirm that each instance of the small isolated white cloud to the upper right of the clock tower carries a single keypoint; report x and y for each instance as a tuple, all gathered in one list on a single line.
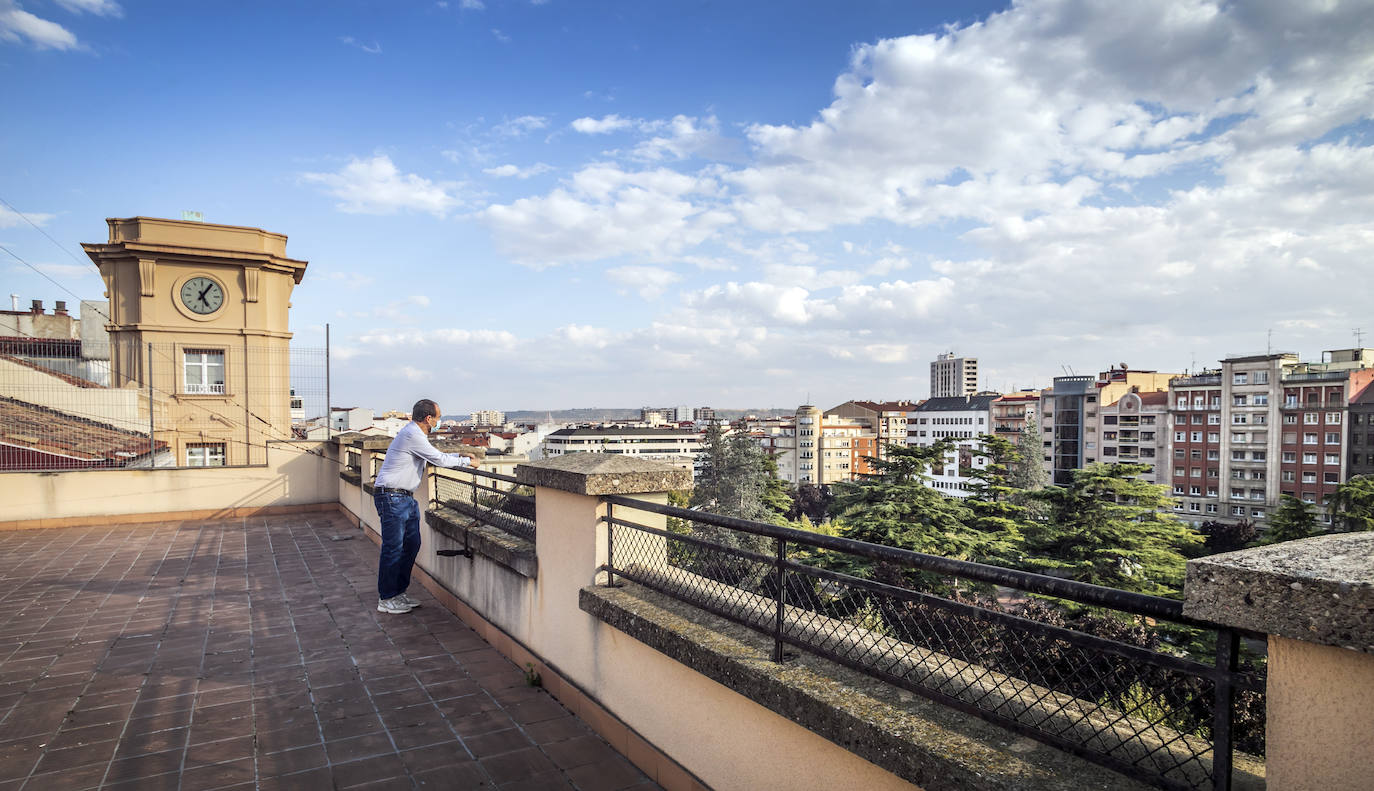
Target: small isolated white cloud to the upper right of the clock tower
[(376, 186)]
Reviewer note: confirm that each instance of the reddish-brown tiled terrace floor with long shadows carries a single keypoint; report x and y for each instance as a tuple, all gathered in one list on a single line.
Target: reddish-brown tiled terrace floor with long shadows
[(249, 654)]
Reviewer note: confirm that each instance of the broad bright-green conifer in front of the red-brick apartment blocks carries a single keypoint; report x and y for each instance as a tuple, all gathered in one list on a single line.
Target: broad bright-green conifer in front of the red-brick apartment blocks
[(1110, 528)]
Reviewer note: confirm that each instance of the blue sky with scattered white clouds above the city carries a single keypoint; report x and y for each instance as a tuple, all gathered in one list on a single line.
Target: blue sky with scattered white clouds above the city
[(541, 205)]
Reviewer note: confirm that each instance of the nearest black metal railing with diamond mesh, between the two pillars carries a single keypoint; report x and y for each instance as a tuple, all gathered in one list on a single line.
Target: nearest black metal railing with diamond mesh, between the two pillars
[(1094, 678)]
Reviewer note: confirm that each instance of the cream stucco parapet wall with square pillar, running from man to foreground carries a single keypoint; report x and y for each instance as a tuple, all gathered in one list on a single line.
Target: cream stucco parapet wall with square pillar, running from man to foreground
[(726, 740)]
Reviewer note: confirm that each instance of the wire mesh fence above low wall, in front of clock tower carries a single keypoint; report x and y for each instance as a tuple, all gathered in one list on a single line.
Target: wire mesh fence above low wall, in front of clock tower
[(71, 406)]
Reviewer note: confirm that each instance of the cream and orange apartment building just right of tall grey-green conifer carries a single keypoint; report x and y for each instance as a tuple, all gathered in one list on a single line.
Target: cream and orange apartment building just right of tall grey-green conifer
[(821, 448)]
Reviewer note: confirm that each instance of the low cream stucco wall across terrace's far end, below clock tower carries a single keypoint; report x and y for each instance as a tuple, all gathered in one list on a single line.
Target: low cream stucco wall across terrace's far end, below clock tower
[(292, 477)]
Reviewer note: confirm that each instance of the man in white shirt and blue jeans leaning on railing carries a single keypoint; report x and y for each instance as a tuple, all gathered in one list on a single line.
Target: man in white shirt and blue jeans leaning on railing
[(395, 499)]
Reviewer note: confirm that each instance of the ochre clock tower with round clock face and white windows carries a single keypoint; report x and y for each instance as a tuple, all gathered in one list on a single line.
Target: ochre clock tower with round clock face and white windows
[(199, 317)]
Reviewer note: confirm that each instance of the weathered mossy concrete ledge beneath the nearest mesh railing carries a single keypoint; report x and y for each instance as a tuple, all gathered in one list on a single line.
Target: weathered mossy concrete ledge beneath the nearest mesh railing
[(932, 746)]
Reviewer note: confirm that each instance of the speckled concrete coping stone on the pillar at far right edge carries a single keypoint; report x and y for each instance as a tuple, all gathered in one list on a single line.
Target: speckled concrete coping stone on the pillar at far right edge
[(1317, 590)]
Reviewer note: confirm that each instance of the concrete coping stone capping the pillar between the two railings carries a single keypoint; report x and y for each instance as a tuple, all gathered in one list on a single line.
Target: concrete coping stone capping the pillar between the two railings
[(604, 474)]
